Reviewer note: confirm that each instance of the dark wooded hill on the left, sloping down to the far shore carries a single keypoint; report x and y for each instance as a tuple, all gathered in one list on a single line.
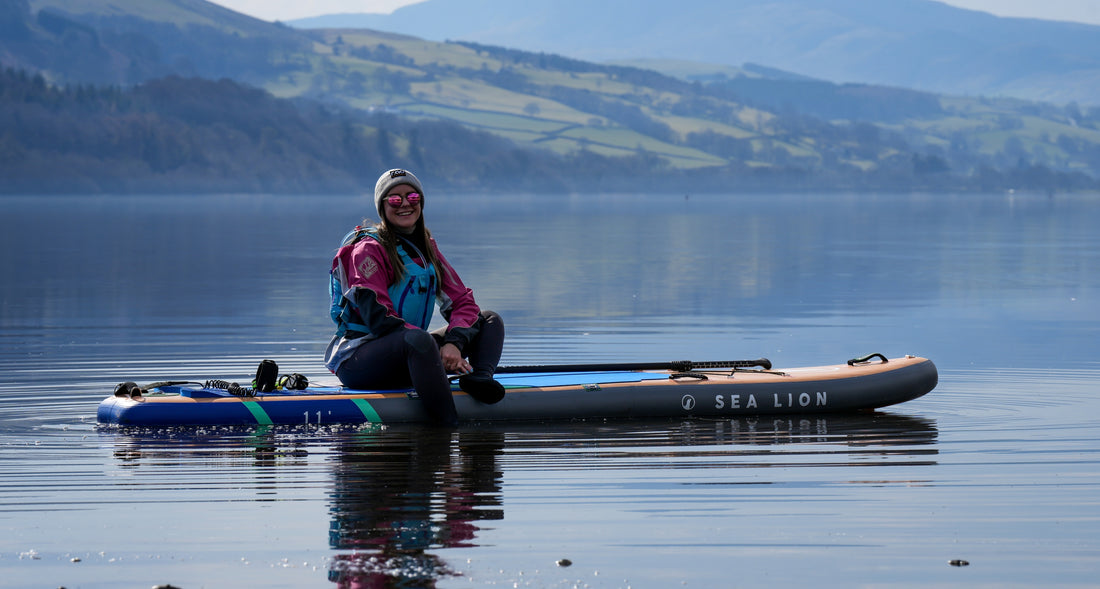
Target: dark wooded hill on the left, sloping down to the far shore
[(195, 136)]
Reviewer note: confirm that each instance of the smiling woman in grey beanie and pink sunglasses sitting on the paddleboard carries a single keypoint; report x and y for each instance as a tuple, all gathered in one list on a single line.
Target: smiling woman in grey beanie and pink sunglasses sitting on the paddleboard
[(387, 281)]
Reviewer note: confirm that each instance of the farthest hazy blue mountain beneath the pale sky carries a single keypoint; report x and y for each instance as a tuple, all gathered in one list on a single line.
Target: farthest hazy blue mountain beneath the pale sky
[(920, 45)]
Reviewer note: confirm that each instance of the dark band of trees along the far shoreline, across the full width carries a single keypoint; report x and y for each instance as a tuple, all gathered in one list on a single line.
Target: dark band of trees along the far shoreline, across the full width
[(178, 135)]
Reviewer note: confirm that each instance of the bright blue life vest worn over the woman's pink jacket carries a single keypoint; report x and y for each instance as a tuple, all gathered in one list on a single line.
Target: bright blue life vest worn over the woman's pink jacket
[(414, 298)]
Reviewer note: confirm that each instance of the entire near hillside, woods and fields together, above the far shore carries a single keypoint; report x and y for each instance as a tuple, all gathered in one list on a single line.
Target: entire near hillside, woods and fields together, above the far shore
[(339, 103)]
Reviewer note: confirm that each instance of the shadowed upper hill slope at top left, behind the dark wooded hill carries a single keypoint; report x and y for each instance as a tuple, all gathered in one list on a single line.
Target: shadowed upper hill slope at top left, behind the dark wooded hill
[(130, 41)]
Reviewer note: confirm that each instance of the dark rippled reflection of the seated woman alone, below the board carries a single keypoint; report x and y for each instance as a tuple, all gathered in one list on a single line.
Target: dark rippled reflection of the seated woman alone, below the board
[(400, 495)]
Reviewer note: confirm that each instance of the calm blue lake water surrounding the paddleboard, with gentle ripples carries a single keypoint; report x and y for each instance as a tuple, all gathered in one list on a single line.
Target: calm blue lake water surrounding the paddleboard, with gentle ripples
[(999, 466)]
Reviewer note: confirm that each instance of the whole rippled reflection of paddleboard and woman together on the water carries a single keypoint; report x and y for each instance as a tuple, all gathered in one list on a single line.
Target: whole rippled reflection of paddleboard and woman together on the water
[(406, 504)]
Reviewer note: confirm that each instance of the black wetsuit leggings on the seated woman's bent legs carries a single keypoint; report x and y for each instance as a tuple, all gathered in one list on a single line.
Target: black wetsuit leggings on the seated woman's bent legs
[(411, 357)]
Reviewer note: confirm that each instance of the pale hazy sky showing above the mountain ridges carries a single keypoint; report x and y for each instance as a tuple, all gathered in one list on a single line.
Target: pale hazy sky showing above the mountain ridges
[(284, 10)]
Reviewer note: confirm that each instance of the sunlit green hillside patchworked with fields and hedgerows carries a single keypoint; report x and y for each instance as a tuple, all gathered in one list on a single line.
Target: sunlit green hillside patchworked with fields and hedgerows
[(677, 112)]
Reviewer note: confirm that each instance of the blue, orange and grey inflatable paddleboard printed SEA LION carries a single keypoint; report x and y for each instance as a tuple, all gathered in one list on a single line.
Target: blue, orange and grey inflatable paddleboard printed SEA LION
[(861, 385)]
